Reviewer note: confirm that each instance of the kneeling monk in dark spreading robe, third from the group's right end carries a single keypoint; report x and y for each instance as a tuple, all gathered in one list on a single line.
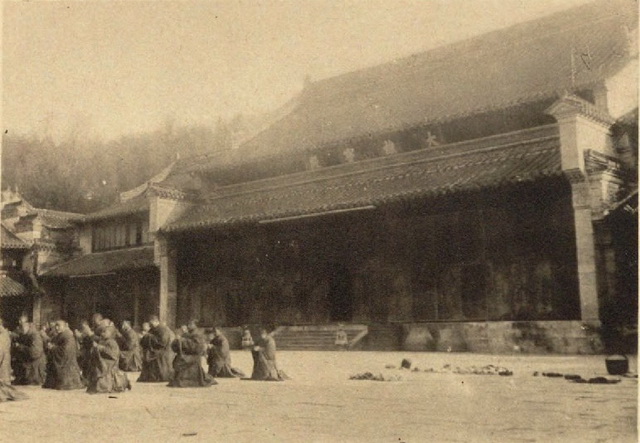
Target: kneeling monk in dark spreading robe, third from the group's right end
[(187, 365)]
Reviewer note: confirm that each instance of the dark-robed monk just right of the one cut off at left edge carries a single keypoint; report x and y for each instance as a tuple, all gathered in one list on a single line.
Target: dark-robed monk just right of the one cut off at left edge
[(30, 359)]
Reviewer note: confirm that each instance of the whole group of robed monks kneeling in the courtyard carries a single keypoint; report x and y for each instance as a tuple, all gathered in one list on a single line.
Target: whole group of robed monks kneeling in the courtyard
[(97, 356)]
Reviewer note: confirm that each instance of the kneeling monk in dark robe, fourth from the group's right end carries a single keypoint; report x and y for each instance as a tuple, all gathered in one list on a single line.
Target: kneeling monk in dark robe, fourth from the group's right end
[(157, 365)]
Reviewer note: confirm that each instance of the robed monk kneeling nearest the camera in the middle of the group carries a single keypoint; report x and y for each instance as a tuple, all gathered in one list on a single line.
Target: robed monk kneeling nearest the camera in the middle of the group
[(104, 374)]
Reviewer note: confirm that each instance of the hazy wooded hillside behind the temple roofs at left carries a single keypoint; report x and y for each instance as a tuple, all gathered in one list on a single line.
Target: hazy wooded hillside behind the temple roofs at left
[(81, 174)]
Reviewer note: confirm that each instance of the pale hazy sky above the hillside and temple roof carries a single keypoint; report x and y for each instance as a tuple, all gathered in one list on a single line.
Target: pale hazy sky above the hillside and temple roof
[(113, 68)]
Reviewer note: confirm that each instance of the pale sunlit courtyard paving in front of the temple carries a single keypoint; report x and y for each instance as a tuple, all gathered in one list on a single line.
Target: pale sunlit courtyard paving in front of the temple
[(321, 404)]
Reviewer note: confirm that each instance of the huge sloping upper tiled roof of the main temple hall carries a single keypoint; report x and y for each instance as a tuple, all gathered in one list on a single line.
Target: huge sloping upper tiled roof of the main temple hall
[(527, 62)]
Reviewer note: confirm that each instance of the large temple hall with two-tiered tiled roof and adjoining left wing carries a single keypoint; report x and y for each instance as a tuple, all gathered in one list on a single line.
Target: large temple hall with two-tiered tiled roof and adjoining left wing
[(476, 197)]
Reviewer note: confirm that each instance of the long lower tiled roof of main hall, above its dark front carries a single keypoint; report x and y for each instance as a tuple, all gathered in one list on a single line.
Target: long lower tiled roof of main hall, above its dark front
[(446, 169)]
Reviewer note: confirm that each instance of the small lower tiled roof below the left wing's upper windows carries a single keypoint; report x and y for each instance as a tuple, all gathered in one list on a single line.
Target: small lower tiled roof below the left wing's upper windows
[(104, 262)]
